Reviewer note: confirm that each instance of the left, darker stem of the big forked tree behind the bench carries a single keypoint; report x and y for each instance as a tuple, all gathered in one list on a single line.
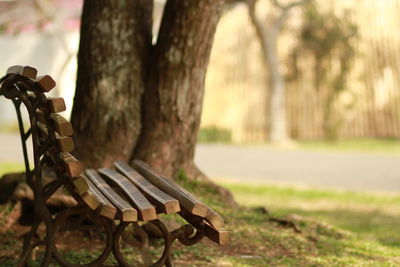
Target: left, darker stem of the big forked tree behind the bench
[(114, 47)]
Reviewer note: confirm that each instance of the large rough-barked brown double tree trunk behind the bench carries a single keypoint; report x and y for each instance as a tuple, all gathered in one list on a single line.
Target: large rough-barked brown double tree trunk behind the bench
[(138, 101)]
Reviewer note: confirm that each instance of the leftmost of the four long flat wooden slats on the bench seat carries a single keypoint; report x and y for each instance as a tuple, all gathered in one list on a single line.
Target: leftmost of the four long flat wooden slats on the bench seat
[(128, 214)]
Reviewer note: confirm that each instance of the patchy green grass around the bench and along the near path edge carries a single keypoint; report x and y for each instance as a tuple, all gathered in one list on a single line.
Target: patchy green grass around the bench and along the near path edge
[(335, 228)]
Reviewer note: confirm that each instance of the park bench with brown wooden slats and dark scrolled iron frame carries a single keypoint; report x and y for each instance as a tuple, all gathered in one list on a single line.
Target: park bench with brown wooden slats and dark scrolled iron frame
[(112, 197)]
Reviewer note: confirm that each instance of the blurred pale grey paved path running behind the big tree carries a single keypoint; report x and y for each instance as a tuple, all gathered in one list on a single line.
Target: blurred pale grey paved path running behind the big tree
[(354, 171)]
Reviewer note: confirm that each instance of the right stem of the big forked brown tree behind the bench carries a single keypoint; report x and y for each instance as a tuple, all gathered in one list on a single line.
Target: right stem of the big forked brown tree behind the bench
[(173, 100)]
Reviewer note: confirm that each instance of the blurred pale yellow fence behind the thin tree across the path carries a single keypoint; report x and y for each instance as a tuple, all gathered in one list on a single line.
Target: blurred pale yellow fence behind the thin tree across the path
[(340, 63)]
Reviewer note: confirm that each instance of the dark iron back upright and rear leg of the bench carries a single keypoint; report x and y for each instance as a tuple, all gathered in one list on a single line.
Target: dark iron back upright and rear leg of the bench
[(15, 87)]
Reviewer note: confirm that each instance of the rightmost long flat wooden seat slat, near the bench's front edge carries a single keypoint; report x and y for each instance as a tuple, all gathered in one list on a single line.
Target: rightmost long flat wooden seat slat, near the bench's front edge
[(187, 200)]
